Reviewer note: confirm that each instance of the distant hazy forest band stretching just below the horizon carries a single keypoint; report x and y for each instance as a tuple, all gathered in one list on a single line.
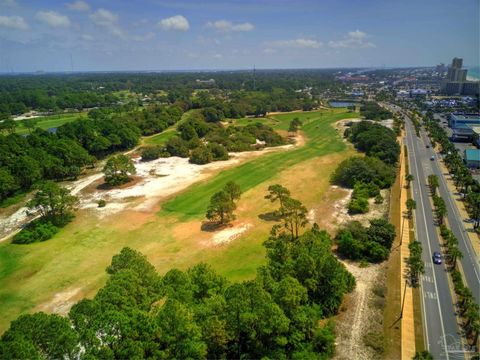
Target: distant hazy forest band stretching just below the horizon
[(273, 91)]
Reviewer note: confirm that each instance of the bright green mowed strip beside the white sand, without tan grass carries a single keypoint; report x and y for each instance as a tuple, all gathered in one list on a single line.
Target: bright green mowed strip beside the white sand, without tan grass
[(322, 140)]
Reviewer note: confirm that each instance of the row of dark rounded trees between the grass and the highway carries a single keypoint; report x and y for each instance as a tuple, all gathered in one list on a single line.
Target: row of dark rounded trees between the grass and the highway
[(366, 176)]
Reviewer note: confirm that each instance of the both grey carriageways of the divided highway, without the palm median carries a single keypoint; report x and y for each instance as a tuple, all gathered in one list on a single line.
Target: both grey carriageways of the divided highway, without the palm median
[(441, 330)]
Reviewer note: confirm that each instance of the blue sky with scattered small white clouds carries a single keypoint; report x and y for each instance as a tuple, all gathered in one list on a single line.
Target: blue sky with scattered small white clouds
[(121, 35)]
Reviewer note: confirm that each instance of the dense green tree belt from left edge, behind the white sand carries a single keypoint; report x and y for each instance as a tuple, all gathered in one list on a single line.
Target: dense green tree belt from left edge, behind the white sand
[(42, 155)]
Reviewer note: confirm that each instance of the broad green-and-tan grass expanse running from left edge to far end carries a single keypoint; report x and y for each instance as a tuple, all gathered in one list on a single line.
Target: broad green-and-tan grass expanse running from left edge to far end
[(50, 276)]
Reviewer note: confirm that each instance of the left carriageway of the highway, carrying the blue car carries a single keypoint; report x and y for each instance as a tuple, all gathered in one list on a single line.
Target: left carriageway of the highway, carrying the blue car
[(438, 309)]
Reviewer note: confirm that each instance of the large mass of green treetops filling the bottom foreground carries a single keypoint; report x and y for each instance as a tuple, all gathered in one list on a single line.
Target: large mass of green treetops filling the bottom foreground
[(198, 314)]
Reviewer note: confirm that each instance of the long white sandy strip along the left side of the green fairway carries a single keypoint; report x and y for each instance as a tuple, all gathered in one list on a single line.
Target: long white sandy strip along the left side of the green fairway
[(155, 180)]
